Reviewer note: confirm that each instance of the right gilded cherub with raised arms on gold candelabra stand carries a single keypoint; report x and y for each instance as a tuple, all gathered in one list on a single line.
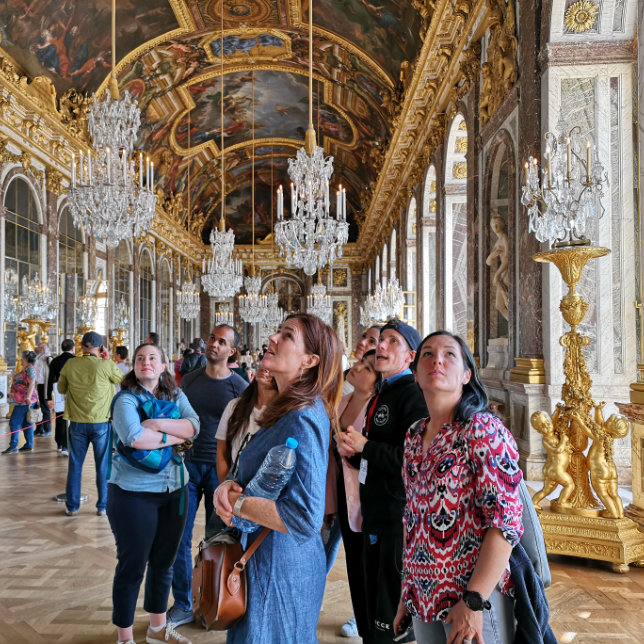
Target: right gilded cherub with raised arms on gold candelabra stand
[(603, 472)]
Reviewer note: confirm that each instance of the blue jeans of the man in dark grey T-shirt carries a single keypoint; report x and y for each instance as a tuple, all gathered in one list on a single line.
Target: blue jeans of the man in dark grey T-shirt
[(203, 482)]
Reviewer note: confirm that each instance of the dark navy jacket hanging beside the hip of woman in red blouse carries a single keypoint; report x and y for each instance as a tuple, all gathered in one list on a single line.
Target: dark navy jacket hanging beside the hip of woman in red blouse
[(531, 609)]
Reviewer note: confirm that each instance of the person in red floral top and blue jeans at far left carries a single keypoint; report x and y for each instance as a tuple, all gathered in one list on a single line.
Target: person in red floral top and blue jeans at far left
[(23, 396)]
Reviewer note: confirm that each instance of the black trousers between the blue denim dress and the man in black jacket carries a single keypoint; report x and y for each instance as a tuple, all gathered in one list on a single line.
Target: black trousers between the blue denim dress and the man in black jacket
[(353, 547)]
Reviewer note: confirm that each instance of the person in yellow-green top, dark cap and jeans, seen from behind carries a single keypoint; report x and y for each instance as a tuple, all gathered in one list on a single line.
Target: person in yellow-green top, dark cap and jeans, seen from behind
[(88, 383)]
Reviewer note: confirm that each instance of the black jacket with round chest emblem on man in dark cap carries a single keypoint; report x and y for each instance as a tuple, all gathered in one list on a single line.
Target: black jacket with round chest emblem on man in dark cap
[(382, 497)]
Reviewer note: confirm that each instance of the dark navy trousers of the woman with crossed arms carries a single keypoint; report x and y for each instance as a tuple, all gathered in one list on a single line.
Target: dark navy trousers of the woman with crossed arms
[(147, 527)]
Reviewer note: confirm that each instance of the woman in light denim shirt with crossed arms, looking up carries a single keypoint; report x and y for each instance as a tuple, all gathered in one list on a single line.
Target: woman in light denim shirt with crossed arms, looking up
[(144, 508)]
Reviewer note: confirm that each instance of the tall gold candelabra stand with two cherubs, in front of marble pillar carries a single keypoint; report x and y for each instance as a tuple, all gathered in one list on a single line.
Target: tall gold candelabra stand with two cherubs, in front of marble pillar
[(576, 523)]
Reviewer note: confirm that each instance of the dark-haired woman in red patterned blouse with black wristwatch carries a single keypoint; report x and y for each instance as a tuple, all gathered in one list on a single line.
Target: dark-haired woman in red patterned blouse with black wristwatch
[(463, 513)]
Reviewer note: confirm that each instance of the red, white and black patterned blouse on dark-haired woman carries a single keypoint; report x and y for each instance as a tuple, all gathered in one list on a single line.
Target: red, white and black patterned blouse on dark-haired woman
[(467, 482)]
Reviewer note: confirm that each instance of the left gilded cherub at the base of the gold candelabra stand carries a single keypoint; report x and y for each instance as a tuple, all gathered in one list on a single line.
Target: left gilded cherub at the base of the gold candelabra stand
[(555, 469)]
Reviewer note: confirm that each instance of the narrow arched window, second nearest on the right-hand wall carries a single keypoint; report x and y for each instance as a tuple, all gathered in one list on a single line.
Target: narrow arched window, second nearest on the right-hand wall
[(428, 305)]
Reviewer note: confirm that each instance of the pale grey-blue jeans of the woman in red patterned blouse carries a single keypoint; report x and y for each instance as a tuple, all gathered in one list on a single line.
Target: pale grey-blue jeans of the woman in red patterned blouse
[(498, 624)]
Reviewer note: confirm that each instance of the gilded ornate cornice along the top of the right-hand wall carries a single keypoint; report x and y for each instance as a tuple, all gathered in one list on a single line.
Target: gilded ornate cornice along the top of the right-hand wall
[(432, 86)]
